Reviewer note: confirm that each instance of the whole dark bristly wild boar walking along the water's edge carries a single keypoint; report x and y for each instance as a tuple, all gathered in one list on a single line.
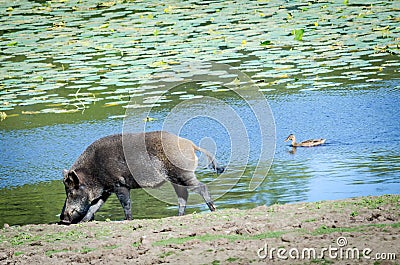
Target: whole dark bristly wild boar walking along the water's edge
[(118, 163)]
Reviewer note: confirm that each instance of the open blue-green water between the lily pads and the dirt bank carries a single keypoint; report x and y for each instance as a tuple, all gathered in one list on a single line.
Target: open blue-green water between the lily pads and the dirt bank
[(360, 157)]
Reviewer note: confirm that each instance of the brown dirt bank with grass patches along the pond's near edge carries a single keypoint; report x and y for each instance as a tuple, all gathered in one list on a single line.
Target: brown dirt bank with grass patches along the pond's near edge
[(352, 231)]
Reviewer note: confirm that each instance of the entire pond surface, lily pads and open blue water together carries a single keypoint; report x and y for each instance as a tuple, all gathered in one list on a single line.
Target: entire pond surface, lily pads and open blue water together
[(68, 70)]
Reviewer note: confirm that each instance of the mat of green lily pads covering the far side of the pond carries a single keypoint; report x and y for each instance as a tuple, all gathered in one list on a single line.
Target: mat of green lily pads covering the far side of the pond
[(108, 47)]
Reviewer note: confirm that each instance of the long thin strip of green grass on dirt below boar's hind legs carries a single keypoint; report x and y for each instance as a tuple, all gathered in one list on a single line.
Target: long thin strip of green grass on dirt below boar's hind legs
[(209, 237)]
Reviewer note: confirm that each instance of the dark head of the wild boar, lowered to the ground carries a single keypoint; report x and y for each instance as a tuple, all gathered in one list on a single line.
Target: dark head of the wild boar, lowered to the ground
[(79, 198)]
